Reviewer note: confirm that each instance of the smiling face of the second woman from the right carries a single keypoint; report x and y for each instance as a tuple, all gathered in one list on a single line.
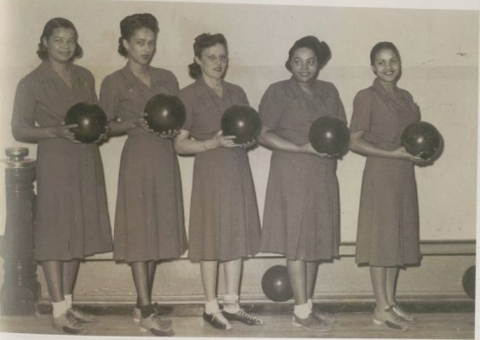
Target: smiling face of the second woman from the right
[(304, 65)]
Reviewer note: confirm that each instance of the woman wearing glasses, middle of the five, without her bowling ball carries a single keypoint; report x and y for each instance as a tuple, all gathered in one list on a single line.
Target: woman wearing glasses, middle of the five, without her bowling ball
[(224, 223)]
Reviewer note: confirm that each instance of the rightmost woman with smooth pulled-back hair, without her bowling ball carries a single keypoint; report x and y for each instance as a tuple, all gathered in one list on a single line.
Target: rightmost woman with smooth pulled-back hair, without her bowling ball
[(388, 231)]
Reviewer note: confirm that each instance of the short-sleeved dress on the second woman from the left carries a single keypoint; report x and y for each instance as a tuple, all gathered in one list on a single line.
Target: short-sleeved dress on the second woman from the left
[(149, 222)]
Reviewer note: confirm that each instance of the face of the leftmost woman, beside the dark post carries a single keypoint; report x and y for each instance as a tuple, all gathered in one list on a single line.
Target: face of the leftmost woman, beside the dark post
[(61, 45)]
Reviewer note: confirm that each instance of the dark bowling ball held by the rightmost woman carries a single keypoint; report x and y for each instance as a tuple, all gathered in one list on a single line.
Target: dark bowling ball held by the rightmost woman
[(421, 138)]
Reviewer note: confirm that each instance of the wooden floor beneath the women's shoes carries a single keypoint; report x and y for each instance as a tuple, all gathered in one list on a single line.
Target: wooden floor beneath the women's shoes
[(348, 325)]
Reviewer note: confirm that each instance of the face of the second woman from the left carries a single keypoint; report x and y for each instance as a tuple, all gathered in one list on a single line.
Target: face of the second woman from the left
[(141, 46)]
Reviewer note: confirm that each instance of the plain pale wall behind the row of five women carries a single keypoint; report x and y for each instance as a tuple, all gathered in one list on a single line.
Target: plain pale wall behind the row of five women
[(439, 49)]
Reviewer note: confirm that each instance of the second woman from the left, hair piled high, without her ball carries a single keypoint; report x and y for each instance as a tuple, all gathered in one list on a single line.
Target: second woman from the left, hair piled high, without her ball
[(149, 213)]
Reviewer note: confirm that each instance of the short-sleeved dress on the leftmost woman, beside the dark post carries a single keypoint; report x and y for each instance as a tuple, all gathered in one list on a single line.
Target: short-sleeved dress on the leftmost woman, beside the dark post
[(72, 219)]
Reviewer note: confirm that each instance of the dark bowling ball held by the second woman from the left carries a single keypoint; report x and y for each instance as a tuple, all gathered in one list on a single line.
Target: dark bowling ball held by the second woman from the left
[(164, 113)]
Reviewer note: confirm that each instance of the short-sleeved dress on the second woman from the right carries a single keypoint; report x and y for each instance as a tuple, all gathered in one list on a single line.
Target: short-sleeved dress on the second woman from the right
[(302, 210)]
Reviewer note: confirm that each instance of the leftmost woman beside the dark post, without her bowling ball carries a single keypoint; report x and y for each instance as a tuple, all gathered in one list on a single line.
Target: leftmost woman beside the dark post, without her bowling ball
[(72, 216)]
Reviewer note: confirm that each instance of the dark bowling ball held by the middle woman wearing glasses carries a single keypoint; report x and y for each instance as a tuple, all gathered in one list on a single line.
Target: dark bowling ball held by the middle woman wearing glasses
[(241, 121)]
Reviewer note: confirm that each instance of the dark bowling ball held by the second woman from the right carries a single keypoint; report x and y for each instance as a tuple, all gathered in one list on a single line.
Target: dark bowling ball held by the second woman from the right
[(329, 135)]
